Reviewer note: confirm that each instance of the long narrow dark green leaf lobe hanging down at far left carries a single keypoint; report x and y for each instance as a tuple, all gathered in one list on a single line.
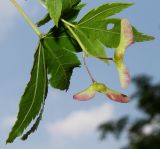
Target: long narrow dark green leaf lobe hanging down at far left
[(34, 96)]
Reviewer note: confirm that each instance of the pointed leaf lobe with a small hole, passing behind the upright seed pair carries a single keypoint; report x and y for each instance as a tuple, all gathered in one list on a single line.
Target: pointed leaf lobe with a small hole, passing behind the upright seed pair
[(98, 29)]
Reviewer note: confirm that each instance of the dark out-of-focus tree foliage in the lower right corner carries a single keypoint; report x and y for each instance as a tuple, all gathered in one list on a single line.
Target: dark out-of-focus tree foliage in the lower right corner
[(144, 132)]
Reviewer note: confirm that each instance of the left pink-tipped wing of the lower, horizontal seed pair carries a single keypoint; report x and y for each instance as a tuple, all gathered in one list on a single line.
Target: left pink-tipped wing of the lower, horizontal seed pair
[(85, 95)]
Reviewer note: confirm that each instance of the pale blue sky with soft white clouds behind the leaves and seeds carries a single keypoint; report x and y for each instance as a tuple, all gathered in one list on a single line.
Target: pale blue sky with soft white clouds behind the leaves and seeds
[(68, 124)]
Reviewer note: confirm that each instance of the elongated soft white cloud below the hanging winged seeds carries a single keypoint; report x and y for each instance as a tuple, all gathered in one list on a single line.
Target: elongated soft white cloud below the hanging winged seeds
[(81, 122)]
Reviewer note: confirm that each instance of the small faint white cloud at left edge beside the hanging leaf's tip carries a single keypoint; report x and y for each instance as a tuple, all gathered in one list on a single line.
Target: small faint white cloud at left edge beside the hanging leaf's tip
[(8, 122)]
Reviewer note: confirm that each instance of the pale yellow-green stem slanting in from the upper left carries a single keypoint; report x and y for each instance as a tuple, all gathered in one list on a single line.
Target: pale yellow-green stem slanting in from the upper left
[(34, 27)]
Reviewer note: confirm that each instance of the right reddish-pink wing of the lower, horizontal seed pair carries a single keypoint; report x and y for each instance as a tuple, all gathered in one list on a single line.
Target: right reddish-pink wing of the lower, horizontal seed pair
[(116, 96)]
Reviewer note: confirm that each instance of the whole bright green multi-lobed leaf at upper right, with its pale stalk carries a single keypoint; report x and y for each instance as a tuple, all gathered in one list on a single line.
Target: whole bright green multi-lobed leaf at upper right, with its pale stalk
[(92, 33)]
